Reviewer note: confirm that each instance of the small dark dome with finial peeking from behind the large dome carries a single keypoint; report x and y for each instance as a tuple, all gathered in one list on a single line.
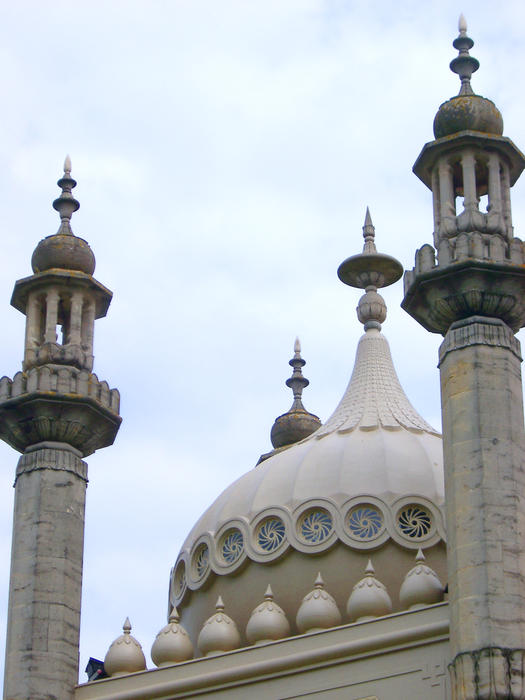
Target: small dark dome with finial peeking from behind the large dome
[(297, 423)]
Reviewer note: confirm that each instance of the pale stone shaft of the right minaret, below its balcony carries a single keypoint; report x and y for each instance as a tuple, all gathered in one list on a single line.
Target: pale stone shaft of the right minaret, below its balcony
[(483, 440)]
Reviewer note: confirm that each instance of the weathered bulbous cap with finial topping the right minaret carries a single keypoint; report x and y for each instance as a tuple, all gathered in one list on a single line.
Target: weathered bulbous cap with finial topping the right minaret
[(467, 111)]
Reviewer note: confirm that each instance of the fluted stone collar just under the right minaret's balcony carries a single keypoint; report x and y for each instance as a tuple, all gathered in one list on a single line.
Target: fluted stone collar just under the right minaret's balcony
[(479, 330)]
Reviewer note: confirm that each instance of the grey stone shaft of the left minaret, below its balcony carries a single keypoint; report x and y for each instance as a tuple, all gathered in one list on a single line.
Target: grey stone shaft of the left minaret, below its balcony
[(46, 575)]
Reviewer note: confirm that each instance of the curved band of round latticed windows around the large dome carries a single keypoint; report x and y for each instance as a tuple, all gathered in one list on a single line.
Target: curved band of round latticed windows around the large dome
[(314, 526)]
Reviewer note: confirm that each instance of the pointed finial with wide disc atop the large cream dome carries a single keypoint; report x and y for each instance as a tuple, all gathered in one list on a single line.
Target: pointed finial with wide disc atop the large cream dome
[(370, 270)]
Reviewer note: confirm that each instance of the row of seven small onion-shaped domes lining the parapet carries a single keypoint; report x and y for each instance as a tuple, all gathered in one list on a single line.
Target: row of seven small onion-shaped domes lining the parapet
[(268, 622)]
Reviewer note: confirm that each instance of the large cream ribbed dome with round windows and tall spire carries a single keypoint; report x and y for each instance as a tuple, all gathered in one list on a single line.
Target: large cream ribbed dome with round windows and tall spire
[(370, 478)]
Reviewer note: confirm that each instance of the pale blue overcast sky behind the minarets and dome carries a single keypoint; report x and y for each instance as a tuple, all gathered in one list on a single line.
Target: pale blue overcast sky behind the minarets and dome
[(225, 154)]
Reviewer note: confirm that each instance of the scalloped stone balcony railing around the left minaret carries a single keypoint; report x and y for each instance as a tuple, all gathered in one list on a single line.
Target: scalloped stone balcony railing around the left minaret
[(65, 380)]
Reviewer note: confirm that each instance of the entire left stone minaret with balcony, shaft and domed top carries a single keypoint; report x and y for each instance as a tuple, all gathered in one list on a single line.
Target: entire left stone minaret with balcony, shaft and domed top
[(55, 412)]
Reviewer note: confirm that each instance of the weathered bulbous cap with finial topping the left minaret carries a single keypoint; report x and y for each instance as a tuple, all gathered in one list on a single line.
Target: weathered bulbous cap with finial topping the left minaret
[(63, 249)]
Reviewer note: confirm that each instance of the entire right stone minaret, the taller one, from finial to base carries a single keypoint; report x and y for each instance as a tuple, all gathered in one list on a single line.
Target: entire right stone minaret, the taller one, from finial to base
[(473, 293)]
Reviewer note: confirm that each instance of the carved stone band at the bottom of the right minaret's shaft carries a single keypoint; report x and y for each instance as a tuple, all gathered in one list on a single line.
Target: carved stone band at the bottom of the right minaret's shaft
[(491, 672)]
